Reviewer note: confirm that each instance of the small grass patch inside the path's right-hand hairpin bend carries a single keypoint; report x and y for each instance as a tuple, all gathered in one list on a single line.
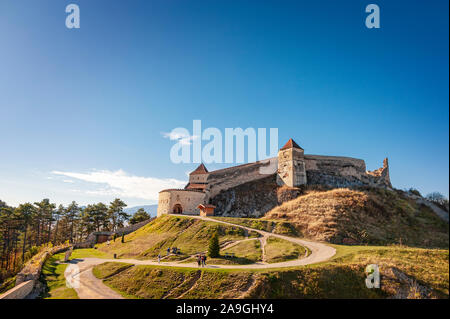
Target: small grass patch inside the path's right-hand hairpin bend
[(279, 250)]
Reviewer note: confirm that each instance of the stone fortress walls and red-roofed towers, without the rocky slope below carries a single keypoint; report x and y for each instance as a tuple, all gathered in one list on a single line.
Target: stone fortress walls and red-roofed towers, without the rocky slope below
[(292, 168)]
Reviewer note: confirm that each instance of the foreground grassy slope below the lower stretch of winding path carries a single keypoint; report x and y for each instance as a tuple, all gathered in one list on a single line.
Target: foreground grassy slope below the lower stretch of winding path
[(405, 273)]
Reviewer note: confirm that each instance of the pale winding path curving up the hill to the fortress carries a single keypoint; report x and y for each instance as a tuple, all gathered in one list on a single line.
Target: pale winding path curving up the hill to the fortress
[(79, 272)]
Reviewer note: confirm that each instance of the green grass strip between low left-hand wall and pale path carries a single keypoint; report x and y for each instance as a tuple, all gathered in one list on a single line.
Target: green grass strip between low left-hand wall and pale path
[(53, 277)]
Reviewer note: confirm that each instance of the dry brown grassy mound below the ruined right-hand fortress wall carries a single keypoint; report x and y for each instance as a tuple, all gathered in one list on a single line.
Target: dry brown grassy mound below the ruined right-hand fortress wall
[(366, 216)]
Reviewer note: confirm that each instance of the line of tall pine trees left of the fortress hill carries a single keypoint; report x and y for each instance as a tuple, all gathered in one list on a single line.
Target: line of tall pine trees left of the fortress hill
[(25, 228)]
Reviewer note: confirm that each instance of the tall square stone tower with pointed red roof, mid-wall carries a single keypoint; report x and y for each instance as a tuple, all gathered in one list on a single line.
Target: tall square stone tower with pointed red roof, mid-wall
[(291, 165)]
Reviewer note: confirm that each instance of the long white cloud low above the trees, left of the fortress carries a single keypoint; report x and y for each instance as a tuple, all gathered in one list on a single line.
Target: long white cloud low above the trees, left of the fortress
[(121, 184)]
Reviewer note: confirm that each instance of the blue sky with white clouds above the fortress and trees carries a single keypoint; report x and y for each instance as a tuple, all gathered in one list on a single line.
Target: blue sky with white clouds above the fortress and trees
[(82, 111)]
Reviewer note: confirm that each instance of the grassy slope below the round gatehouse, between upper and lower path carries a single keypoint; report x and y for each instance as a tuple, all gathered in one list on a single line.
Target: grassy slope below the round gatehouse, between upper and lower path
[(189, 235)]
